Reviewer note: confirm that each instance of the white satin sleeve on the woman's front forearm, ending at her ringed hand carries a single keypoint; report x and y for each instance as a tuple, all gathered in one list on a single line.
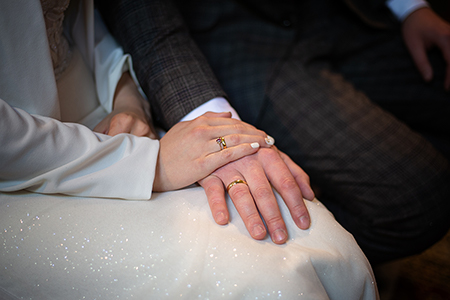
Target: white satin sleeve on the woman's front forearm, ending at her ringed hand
[(44, 155)]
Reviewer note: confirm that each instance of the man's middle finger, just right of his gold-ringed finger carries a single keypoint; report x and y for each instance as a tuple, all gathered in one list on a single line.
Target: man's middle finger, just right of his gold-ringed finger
[(266, 202)]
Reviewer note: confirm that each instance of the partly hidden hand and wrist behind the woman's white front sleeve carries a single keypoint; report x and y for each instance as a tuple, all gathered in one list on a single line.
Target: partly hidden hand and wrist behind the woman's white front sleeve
[(131, 112)]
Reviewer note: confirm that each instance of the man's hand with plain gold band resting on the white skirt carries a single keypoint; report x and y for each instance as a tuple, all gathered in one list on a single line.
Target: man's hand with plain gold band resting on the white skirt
[(267, 167)]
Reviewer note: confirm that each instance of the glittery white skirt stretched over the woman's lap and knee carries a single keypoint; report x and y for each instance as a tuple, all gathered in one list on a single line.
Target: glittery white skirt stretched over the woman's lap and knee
[(58, 247)]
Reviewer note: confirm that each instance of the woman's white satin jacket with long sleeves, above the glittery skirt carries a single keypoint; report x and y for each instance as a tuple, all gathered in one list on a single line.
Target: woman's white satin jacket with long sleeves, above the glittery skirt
[(39, 149)]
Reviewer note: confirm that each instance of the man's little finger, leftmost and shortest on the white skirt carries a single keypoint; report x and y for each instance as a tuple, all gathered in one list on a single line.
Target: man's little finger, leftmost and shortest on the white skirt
[(215, 193)]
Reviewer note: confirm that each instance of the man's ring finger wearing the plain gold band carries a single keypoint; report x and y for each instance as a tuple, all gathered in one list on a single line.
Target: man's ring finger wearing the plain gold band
[(243, 201)]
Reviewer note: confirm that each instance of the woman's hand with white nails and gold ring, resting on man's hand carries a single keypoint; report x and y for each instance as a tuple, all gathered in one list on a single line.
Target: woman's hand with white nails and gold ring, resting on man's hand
[(189, 151)]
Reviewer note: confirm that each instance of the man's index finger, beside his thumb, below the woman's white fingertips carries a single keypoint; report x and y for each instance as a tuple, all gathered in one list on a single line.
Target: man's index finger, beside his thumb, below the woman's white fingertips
[(283, 181)]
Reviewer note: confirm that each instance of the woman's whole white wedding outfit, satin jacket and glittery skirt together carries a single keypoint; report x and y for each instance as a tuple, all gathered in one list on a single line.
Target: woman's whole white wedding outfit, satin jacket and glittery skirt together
[(64, 237)]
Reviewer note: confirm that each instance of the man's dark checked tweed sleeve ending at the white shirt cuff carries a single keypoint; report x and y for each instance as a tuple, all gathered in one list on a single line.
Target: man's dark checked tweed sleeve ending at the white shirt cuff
[(170, 68)]
